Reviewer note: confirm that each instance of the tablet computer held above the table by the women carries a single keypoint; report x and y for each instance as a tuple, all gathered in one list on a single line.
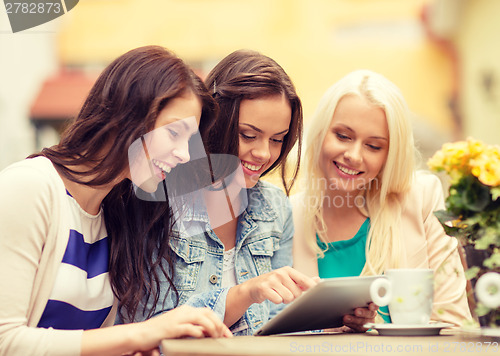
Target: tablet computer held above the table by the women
[(323, 306)]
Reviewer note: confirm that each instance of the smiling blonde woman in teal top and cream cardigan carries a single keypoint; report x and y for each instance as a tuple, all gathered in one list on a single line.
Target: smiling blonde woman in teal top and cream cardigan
[(364, 207)]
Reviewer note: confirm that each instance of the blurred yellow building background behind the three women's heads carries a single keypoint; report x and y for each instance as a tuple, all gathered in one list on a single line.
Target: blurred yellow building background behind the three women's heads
[(443, 54)]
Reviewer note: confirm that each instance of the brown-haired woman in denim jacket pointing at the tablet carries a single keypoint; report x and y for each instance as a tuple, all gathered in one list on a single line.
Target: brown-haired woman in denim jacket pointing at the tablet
[(259, 121)]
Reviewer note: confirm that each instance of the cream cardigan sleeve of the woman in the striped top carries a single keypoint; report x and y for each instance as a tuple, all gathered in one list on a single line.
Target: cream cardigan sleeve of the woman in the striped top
[(26, 204)]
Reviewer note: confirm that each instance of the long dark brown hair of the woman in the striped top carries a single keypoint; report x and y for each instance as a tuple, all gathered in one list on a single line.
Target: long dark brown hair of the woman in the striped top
[(122, 106)]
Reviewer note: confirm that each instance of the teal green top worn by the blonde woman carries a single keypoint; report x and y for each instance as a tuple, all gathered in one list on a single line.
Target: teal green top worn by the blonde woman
[(347, 258)]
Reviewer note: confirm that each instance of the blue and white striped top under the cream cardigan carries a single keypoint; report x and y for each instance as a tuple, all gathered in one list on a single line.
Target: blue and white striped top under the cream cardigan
[(81, 297)]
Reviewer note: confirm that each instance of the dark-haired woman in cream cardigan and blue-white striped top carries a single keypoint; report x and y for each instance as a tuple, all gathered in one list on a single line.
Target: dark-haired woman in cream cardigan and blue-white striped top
[(75, 239)]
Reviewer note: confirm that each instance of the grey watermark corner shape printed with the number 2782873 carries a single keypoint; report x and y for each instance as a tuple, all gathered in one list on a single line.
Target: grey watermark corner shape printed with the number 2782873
[(28, 14)]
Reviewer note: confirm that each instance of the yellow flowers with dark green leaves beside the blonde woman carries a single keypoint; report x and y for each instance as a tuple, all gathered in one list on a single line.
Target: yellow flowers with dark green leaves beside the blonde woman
[(472, 212)]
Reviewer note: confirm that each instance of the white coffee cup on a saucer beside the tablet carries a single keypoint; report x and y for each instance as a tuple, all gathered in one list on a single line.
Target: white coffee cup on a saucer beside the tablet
[(409, 294)]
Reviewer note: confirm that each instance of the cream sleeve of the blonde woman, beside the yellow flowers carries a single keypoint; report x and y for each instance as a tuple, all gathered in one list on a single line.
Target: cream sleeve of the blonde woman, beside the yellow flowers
[(450, 300)]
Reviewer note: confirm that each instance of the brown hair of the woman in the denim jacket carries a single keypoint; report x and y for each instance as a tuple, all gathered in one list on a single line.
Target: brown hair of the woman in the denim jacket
[(246, 74)]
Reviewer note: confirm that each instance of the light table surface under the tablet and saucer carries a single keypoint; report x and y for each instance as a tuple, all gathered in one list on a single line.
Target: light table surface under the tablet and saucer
[(448, 343)]
